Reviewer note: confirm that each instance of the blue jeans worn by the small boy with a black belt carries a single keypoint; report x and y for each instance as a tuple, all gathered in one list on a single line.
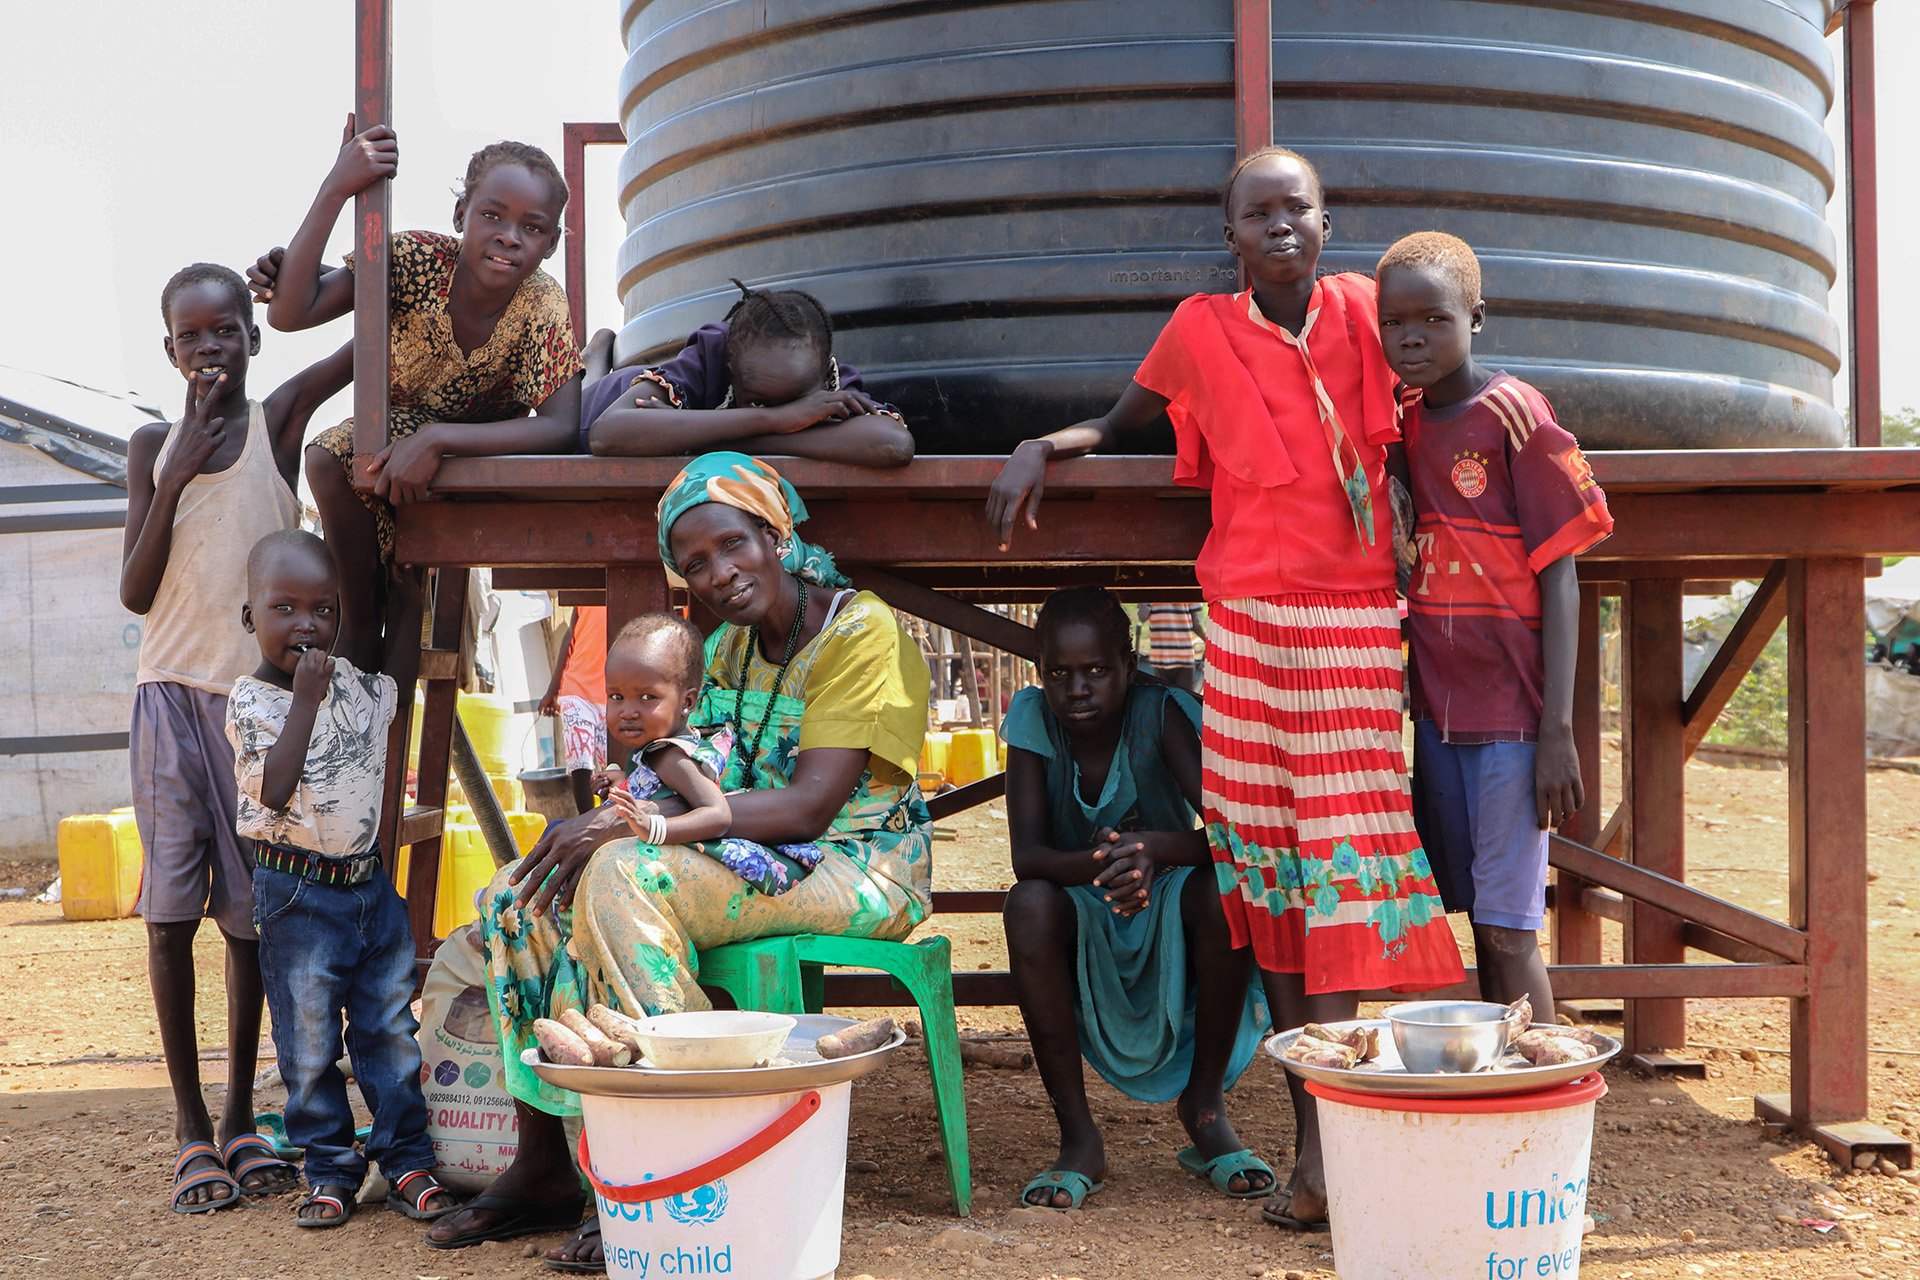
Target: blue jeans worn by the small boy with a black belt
[(324, 951)]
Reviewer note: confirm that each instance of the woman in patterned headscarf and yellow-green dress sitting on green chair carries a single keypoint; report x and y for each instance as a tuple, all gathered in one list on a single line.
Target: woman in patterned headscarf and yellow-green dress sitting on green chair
[(827, 701)]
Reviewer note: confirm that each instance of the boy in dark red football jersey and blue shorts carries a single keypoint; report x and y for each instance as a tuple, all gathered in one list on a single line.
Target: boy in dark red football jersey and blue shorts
[(1504, 502)]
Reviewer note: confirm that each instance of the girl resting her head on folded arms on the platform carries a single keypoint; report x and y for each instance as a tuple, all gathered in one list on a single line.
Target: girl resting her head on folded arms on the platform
[(763, 381)]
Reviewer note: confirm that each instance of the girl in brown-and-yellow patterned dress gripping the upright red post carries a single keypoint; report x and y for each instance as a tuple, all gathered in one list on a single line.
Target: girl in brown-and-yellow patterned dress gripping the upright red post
[(485, 358)]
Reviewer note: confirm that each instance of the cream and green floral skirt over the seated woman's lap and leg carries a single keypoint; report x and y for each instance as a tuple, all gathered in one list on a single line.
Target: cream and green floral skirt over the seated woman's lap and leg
[(633, 937)]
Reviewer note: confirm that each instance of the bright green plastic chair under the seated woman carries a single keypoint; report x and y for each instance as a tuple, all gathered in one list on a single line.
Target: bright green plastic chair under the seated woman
[(784, 976)]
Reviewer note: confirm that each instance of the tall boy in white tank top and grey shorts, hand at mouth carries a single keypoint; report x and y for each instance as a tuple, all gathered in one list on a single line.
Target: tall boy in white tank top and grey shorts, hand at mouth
[(199, 496)]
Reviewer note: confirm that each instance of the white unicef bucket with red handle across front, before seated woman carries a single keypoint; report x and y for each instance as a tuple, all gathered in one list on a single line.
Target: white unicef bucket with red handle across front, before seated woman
[(719, 1187)]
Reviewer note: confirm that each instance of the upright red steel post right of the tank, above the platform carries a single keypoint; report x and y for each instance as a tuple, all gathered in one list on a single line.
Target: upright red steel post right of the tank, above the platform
[(1863, 224)]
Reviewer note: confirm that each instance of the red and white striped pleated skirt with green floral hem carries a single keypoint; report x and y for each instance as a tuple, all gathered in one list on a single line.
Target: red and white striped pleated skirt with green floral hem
[(1307, 795)]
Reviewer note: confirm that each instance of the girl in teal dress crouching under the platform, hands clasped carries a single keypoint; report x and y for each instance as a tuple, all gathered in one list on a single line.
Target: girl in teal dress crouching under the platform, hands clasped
[(1109, 930)]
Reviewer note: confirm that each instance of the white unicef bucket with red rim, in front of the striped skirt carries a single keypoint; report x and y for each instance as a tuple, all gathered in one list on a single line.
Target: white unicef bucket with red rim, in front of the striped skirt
[(1458, 1189)]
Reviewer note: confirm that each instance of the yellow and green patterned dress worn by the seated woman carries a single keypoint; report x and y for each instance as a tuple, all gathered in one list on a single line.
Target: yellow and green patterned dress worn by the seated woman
[(642, 914)]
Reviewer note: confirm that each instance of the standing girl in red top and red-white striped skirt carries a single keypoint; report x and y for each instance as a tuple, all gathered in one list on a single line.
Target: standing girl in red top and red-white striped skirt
[(1284, 408)]
